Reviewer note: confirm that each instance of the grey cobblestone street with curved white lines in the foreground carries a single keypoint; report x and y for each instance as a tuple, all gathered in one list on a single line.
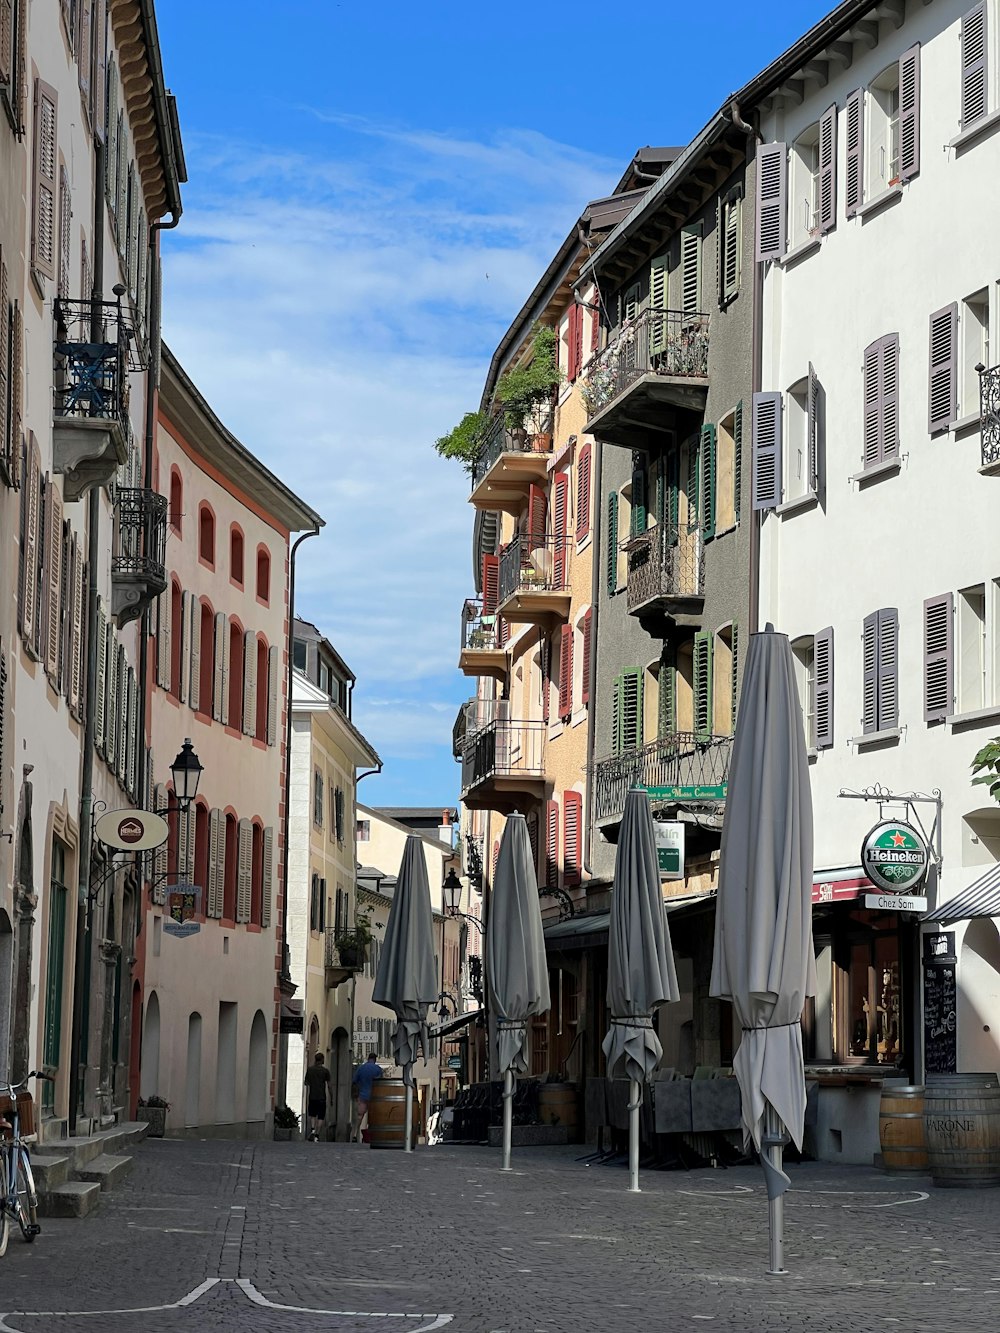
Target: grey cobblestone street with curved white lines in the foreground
[(233, 1236)]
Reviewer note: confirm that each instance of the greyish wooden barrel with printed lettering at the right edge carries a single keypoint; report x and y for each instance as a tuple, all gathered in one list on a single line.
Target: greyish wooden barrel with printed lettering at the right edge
[(962, 1119)]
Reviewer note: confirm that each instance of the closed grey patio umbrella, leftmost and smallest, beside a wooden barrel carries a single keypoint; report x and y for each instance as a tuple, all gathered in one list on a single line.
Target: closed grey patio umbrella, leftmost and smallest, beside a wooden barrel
[(407, 978)]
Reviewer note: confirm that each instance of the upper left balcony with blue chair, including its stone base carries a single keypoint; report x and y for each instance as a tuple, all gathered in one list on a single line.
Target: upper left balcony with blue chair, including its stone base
[(94, 354)]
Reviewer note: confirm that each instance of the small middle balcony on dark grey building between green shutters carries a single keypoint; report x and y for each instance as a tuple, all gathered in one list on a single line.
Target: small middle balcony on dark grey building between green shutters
[(666, 579)]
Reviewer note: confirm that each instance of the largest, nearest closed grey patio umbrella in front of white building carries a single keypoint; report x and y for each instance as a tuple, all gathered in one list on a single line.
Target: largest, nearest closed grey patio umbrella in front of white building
[(765, 960)]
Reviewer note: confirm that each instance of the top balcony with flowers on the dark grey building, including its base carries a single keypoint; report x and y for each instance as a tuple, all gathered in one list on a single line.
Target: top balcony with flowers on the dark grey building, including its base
[(655, 367)]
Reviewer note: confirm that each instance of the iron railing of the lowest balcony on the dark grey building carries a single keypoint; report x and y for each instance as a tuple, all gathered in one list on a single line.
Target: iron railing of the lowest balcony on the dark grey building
[(693, 768)]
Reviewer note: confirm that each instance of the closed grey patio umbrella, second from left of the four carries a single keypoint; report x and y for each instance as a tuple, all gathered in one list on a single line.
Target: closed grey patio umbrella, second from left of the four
[(517, 967)]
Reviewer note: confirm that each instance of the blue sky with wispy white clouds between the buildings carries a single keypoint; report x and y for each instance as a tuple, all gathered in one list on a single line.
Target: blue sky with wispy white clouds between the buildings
[(374, 193)]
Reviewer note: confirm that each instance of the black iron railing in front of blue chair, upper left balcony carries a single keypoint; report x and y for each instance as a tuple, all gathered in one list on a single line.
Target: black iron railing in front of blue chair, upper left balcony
[(95, 350)]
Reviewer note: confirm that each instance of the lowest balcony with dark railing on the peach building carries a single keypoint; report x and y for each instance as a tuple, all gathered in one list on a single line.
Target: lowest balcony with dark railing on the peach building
[(502, 766)]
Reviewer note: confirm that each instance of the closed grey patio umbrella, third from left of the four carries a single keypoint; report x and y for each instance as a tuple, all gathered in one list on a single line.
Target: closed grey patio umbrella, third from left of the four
[(641, 963)]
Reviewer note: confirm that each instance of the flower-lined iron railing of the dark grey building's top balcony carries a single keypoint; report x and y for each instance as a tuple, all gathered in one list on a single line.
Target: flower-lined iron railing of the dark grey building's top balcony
[(665, 343)]
